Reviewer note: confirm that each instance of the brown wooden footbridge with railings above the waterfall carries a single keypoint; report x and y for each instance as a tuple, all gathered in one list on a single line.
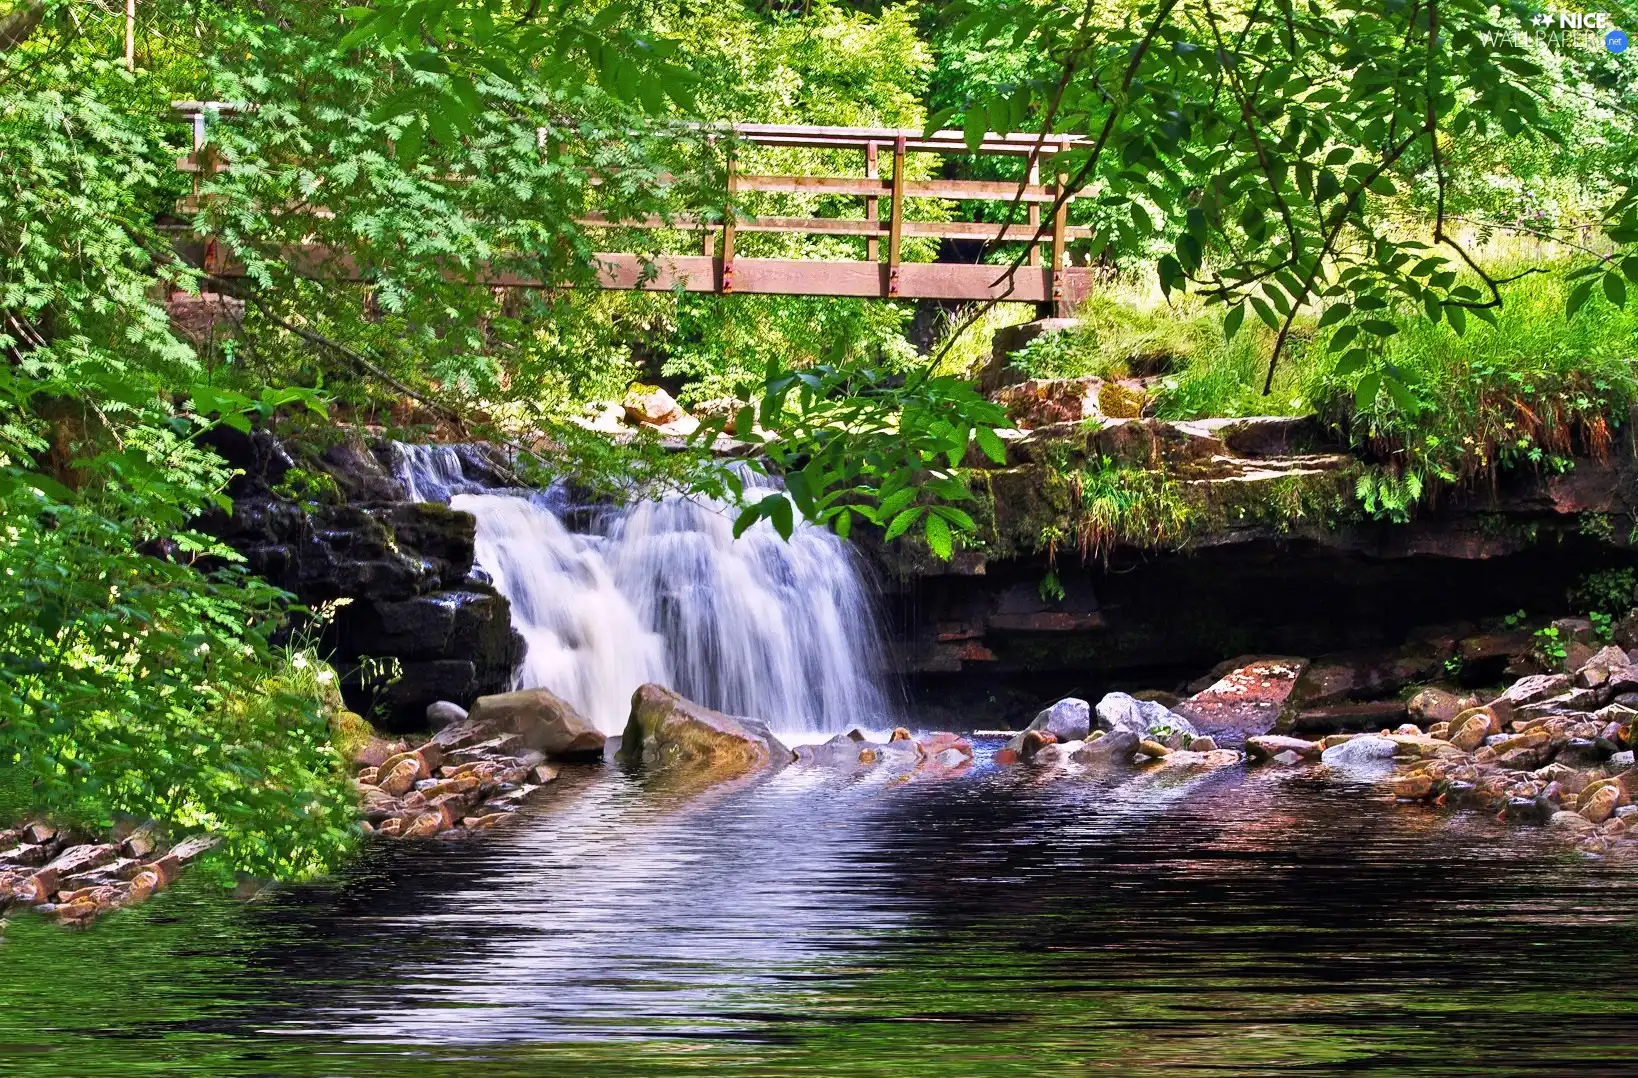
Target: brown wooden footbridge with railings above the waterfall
[(1043, 278)]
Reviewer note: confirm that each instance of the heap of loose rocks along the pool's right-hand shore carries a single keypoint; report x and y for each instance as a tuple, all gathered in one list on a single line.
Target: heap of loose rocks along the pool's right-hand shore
[(1552, 750)]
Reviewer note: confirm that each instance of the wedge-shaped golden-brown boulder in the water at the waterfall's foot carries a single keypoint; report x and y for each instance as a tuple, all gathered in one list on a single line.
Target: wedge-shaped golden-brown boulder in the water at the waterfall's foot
[(672, 731)]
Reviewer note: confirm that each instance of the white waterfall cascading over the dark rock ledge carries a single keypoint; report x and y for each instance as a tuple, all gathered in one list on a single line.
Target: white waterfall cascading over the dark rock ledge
[(663, 592)]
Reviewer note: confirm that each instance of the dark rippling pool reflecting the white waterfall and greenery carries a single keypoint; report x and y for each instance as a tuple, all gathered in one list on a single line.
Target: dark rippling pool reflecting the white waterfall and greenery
[(997, 925)]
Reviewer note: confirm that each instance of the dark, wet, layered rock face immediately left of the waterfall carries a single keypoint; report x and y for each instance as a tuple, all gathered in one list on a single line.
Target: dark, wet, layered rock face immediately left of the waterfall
[(404, 569)]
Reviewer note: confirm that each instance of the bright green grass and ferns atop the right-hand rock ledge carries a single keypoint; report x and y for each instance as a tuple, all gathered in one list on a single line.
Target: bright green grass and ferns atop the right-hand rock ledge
[(1534, 389)]
